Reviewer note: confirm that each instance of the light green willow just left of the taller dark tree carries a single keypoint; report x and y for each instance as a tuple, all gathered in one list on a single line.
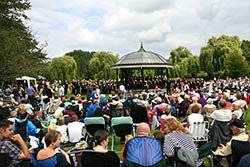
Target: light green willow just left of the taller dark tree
[(63, 68)]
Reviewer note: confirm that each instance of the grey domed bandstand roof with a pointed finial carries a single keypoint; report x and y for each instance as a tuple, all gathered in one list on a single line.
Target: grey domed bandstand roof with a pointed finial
[(142, 59)]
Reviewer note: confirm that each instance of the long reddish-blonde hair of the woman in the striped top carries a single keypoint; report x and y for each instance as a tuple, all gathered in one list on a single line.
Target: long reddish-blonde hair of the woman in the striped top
[(174, 125)]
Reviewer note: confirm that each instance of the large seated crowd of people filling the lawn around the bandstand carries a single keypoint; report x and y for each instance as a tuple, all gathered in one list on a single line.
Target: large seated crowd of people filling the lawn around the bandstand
[(172, 106)]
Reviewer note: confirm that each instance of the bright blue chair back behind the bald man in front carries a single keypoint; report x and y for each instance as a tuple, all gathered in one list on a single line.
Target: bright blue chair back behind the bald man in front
[(143, 151)]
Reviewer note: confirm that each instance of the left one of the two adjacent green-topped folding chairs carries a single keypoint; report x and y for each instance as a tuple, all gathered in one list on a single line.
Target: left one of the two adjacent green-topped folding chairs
[(93, 124)]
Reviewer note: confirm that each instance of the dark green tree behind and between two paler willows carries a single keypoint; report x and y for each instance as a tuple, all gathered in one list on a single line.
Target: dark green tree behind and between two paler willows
[(82, 59)]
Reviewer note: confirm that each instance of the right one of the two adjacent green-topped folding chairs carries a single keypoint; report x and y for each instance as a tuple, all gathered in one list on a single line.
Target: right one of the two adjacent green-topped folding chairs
[(121, 126)]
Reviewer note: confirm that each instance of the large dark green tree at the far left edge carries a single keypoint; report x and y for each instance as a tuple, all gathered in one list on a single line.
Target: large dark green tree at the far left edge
[(19, 51)]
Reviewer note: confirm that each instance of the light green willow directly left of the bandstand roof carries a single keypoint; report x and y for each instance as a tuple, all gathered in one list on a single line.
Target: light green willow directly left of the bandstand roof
[(100, 65)]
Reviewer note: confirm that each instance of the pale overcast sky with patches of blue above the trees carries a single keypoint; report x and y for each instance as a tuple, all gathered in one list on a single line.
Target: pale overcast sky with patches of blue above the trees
[(119, 26)]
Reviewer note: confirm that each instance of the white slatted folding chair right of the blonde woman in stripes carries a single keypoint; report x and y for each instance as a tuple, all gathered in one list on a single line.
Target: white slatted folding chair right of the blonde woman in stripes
[(199, 131)]
